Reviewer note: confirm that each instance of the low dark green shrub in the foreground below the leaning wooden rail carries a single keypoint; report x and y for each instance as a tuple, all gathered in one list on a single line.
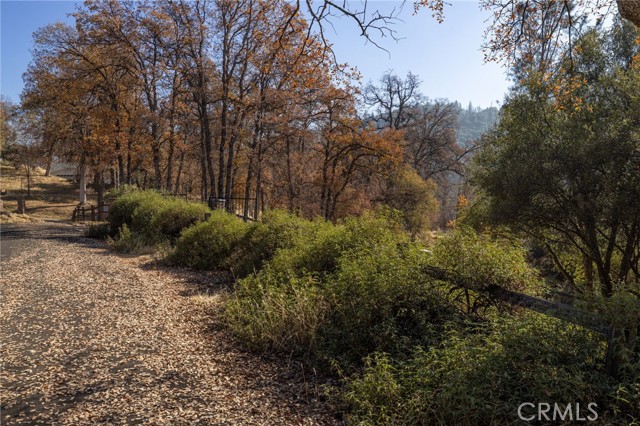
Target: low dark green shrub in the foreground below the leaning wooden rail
[(481, 378)]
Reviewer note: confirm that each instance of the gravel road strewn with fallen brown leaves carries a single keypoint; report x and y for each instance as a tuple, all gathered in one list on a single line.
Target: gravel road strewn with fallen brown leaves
[(90, 337)]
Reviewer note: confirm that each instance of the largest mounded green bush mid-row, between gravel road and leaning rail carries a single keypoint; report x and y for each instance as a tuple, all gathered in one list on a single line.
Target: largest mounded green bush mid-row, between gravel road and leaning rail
[(340, 292)]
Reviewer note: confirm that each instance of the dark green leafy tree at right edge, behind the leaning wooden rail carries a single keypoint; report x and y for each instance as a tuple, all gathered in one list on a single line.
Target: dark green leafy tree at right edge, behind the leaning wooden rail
[(571, 166)]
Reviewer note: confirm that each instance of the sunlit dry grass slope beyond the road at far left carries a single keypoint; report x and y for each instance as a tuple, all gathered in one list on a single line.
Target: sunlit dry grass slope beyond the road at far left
[(51, 197)]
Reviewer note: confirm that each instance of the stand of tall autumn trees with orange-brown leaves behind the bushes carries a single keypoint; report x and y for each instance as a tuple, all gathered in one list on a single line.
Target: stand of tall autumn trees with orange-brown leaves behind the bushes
[(238, 101)]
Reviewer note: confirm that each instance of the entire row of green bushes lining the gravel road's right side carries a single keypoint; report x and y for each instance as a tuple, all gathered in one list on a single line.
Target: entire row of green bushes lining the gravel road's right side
[(354, 296)]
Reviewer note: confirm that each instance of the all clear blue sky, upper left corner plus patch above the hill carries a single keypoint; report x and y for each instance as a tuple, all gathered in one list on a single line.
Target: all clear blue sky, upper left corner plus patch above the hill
[(446, 56)]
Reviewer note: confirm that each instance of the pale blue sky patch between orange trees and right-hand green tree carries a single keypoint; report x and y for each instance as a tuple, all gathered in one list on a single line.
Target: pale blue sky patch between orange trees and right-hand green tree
[(447, 56)]
